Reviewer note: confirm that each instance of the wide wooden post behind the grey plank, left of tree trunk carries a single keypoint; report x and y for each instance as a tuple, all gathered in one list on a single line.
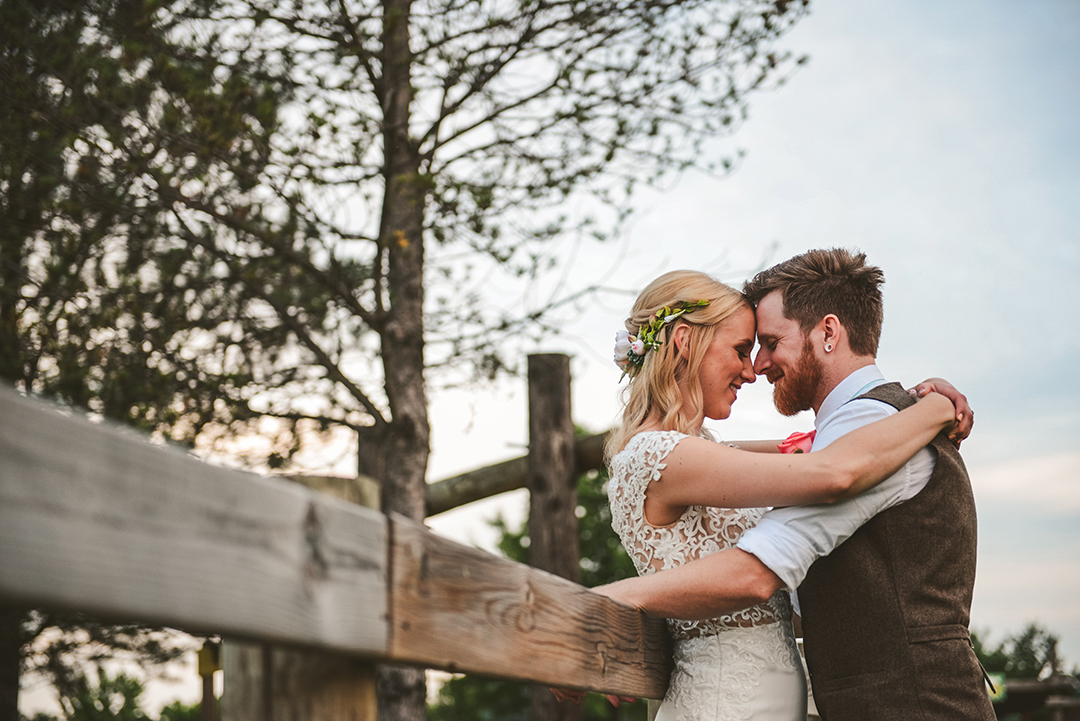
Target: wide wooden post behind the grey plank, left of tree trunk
[(267, 683)]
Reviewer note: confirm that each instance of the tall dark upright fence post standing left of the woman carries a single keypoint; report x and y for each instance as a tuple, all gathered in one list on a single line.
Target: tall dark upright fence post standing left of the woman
[(553, 494)]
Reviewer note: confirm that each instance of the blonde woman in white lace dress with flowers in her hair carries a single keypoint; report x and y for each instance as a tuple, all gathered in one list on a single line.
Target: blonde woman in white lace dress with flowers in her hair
[(677, 495)]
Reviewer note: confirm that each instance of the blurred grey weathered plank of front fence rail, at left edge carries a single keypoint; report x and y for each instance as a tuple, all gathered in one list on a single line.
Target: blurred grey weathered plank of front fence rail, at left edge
[(100, 521)]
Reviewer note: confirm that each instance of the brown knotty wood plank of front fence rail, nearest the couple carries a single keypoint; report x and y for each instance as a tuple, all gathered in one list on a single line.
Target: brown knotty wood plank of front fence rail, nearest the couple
[(465, 610)]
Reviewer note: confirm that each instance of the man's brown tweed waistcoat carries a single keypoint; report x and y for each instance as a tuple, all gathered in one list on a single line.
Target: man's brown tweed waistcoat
[(885, 616)]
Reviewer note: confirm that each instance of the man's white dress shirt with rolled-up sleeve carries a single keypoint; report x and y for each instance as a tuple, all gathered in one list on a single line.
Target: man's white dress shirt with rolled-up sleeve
[(790, 540)]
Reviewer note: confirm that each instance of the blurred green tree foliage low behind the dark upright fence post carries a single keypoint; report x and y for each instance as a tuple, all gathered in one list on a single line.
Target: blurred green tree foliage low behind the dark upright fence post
[(603, 561)]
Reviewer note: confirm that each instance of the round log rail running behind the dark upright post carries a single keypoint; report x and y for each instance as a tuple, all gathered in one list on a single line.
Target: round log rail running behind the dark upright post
[(450, 494)]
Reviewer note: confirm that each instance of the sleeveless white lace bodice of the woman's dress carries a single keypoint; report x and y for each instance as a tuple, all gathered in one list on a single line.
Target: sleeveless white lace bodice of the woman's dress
[(700, 530)]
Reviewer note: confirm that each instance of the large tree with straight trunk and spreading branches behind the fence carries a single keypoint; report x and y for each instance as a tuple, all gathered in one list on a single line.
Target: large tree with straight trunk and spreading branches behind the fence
[(228, 217)]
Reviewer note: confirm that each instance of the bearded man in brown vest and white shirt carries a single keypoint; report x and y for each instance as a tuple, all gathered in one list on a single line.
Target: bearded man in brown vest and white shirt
[(885, 616)]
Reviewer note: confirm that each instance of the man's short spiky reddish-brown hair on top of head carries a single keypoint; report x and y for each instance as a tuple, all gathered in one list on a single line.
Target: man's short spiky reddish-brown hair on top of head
[(821, 282)]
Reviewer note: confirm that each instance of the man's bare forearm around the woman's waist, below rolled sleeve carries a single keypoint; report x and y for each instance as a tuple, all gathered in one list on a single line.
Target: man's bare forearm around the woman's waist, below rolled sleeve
[(720, 584)]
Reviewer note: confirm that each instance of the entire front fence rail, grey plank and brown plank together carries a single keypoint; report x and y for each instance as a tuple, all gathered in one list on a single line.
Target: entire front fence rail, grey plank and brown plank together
[(97, 520)]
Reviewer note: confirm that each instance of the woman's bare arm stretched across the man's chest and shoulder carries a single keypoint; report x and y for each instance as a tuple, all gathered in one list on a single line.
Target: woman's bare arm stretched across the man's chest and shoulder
[(699, 472)]
